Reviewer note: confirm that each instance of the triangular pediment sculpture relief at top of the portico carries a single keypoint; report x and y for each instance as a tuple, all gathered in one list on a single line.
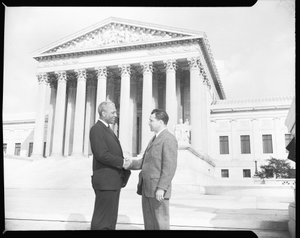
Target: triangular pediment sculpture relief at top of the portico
[(113, 34)]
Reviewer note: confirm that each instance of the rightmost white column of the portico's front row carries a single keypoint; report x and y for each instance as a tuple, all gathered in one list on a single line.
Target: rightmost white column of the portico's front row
[(197, 106)]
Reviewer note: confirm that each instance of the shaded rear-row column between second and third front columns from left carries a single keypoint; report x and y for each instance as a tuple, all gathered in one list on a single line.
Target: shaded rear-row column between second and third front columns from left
[(70, 117)]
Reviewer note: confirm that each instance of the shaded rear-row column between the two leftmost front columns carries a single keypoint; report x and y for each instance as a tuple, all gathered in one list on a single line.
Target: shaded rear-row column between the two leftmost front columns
[(49, 140)]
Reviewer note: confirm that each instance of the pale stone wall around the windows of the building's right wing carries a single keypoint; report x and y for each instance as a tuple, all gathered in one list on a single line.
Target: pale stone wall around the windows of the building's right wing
[(255, 124)]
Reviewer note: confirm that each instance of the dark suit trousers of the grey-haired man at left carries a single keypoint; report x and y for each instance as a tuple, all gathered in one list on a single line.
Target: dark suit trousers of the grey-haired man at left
[(105, 210)]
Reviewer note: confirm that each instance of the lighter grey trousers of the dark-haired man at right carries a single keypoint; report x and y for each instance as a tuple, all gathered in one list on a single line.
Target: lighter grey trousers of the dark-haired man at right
[(155, 213)]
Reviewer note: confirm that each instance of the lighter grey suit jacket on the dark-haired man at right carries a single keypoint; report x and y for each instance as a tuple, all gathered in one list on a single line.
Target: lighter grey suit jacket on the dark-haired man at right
[(158, 164)]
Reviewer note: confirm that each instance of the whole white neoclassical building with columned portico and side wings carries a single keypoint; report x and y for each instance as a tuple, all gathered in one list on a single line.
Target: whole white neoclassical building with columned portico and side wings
[(139, 67)]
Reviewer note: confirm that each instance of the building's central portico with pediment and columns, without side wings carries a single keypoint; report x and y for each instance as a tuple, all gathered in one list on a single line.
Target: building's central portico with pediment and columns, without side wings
[(137, 66)]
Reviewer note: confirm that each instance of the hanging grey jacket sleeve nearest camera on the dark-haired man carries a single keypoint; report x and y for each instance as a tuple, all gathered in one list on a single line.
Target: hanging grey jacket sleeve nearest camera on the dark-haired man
[(169, 162)]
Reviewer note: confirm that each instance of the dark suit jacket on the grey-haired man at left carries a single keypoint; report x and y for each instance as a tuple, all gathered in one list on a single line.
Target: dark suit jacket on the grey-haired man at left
[(108, 172)]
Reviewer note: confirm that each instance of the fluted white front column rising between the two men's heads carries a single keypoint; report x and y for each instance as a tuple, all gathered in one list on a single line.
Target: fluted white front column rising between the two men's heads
[(125, 126)]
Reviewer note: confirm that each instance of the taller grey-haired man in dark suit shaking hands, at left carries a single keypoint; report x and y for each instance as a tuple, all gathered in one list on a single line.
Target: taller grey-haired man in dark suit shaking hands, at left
[(108, 174)]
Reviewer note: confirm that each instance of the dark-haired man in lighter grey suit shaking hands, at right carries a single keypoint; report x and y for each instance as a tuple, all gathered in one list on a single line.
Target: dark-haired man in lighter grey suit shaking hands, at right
[(158, 167)]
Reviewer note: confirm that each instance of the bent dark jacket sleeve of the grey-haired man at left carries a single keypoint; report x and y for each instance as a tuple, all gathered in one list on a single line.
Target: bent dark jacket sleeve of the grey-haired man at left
[(100, 149)]
